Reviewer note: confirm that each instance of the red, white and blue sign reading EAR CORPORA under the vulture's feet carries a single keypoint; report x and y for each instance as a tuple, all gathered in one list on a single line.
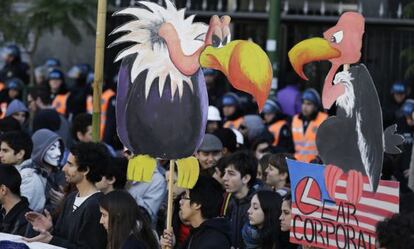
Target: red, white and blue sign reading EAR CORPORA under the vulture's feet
[(319, 221)]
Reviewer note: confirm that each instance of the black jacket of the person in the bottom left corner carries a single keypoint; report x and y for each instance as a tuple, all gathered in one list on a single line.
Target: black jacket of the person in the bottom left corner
[(15, 222)]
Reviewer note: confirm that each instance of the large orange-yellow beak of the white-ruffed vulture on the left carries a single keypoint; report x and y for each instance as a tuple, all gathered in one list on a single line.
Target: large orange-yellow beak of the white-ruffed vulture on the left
[(245, 65)]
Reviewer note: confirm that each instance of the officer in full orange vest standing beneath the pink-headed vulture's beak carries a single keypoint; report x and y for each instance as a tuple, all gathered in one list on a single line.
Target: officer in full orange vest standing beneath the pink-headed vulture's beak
[(305, 126)]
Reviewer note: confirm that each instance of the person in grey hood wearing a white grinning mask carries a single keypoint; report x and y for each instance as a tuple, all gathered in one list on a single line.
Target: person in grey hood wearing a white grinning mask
[(48, 152)]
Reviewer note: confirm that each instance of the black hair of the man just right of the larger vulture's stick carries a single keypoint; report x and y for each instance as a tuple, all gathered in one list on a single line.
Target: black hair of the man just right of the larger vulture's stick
[(208, 193)]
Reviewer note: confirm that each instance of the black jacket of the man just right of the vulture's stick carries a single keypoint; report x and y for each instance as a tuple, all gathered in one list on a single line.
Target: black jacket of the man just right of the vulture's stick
[(211, 234)]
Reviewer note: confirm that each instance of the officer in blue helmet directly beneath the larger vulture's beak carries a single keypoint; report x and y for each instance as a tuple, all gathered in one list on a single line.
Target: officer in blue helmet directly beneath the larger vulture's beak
[(233, 115)]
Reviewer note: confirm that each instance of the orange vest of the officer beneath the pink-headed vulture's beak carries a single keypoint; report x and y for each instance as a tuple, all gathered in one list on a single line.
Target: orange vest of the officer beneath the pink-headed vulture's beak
[(305, 144)]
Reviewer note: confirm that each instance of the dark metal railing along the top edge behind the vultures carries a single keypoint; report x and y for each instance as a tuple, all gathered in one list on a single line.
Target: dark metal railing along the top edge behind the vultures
[(370, 8)]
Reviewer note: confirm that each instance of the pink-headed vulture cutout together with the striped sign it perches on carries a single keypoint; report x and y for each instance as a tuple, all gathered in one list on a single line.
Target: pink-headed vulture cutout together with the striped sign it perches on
[(346, 197)]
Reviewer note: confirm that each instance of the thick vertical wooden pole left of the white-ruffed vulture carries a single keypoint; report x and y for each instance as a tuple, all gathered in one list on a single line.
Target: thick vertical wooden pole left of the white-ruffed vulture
[(98, 75)]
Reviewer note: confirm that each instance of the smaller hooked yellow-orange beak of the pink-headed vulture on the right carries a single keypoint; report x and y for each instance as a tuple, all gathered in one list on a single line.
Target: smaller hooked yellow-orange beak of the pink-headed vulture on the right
[(310, 50)]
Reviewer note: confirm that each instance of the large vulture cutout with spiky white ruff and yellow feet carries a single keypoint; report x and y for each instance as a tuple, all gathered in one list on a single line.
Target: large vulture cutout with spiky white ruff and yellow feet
[(162, 97)]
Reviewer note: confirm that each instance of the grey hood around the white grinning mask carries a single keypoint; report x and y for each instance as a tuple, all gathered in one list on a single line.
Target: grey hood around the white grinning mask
[(42, 140)]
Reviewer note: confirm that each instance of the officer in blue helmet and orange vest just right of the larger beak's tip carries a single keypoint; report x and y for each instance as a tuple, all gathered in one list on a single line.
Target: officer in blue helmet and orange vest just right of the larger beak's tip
[(277, 124)]
